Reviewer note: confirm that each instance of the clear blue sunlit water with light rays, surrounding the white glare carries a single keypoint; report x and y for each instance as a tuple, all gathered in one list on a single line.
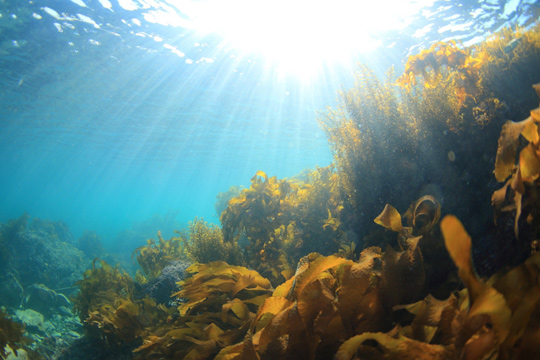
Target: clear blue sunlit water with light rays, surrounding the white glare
[(102, 126)]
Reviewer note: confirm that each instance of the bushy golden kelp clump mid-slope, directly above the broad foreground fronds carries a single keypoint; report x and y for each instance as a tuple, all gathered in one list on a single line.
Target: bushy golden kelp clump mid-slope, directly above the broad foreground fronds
[(284, 220)]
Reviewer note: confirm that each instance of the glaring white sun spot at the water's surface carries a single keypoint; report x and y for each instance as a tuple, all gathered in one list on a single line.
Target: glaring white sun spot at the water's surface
[(301, 36)]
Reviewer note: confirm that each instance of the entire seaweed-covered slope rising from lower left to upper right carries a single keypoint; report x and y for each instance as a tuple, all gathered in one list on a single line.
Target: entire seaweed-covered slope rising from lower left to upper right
[(419, 241)]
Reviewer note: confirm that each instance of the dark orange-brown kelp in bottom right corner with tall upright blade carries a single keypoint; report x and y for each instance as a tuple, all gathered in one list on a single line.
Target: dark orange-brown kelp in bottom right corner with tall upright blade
[(487, 320)]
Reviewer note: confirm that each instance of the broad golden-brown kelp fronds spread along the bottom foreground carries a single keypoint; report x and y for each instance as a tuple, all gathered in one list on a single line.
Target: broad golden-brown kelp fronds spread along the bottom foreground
[(335, 307)]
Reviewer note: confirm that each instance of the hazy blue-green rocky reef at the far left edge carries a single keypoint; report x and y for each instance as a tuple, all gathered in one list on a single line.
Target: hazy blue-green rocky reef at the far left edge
[(37, 257)]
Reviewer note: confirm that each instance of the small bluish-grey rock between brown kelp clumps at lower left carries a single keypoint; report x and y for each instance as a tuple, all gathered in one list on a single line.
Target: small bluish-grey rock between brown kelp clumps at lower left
[(164, 285)]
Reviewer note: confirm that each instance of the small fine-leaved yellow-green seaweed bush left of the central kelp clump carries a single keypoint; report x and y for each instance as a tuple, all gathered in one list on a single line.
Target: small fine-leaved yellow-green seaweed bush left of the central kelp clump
[(205, 244)]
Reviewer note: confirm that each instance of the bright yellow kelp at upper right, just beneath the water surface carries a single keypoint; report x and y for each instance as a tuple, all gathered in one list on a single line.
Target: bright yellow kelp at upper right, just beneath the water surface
[(473, 74)]
